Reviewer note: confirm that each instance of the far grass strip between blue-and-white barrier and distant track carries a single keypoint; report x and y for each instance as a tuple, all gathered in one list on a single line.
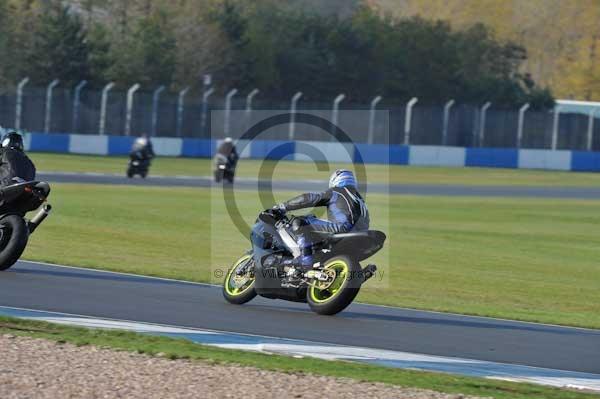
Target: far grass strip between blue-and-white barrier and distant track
[(287, 170)]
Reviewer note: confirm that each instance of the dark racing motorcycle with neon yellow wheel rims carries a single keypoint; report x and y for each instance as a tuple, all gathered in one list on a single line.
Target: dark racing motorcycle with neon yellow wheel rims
[(328, 287)]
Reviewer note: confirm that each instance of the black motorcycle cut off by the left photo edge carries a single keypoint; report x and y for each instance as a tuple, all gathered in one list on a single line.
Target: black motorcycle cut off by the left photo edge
[(15, 201)]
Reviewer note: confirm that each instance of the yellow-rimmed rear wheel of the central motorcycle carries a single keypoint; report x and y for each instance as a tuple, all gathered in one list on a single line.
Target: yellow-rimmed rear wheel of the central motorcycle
[(329, 298)]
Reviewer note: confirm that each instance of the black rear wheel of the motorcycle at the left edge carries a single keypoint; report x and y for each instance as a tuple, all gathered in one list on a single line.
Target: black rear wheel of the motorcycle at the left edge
[(13, 240)]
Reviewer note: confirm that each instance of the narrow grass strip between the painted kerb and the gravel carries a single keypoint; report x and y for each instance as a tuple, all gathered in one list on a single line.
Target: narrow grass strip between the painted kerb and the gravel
[(179, 348)]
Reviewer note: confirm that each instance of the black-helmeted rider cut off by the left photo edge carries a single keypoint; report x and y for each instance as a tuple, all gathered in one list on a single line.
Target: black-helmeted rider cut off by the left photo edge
[(14, 164)]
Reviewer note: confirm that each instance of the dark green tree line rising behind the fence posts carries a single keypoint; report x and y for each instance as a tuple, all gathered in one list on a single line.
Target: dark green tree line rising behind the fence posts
[(266, 44)]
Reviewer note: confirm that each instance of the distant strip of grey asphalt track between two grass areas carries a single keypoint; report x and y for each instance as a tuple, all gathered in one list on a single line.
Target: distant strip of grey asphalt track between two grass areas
[(312, 185)]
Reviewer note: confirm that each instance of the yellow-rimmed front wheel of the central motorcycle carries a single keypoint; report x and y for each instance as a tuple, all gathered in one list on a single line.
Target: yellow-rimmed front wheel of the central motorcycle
[(238, 287)]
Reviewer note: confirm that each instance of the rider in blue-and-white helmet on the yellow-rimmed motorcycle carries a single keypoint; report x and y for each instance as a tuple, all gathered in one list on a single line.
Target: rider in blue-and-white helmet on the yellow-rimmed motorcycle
[(346, 211)]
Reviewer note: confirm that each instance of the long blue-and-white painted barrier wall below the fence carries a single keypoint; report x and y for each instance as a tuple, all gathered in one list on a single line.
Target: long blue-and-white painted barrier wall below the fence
[(333, 152)]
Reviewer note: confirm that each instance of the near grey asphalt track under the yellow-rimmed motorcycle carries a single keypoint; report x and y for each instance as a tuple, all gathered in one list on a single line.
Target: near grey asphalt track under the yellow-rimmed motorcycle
[(143, 299)]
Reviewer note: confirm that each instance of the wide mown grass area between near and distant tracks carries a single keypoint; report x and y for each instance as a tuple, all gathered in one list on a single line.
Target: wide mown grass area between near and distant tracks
[(527, 259)]
